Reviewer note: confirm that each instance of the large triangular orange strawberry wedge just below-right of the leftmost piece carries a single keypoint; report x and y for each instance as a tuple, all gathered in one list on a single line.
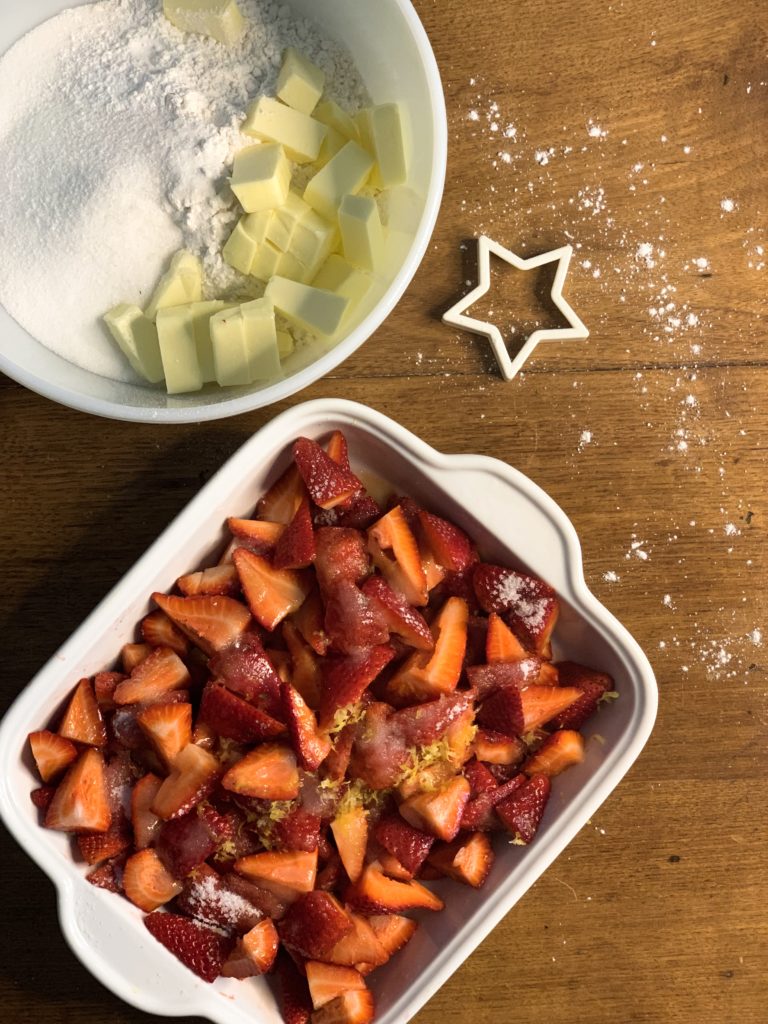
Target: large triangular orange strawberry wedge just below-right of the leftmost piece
[(81, 802)]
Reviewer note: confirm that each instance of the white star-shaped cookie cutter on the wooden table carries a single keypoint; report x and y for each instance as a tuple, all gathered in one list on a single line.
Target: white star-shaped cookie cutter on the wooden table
[(456, 317)]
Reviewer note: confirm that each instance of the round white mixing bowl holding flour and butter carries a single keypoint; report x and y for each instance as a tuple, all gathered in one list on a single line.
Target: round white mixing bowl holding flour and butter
[(392, 51)]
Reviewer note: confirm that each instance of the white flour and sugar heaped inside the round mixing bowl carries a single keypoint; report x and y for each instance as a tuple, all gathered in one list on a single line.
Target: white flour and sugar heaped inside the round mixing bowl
[(117, 135)]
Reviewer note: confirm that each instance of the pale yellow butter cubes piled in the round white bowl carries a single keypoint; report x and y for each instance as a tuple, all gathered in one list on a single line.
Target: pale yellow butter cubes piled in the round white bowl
[(318, 251)]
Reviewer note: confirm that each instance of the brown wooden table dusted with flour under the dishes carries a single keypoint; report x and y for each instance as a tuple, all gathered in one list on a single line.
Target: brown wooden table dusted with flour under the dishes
[(635, 131)]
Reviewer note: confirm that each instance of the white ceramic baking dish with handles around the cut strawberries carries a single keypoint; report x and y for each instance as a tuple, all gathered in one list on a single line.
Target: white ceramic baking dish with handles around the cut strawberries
[(514, 522)]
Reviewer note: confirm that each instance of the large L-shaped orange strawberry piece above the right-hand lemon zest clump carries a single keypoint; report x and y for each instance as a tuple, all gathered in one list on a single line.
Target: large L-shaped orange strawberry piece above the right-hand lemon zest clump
[(428, 675)]
